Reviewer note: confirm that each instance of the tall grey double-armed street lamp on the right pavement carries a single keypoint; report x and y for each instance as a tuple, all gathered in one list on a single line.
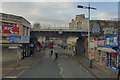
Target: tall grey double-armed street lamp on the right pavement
[(89, 8)]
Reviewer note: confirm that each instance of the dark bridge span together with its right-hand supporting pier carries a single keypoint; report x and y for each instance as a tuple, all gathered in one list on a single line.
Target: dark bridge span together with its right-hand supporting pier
[(82, 37)]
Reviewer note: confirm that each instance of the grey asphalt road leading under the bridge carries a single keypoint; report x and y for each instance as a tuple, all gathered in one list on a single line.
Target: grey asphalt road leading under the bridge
[(64, 67)]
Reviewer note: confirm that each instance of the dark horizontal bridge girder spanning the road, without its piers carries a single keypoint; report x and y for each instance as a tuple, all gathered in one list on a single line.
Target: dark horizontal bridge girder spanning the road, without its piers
[(57, 34)]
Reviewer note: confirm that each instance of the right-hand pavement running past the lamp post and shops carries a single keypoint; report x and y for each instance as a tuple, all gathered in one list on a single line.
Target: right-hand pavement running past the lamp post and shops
[(98, 69)]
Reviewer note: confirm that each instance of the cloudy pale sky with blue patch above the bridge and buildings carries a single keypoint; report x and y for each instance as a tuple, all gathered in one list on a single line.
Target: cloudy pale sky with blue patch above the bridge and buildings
[(59, 13)]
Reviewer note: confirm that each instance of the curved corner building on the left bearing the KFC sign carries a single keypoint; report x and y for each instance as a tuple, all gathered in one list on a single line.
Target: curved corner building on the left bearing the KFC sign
[(15, 31)]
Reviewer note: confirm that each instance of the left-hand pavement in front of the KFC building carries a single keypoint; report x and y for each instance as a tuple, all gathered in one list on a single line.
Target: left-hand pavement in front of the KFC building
[(12, 66)]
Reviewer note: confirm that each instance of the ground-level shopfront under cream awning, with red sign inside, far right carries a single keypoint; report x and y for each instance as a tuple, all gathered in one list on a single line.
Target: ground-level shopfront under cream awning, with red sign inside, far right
[(108, 57)]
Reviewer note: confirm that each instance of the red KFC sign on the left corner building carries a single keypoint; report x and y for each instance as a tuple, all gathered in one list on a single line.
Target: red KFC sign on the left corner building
[(9, 30)]
